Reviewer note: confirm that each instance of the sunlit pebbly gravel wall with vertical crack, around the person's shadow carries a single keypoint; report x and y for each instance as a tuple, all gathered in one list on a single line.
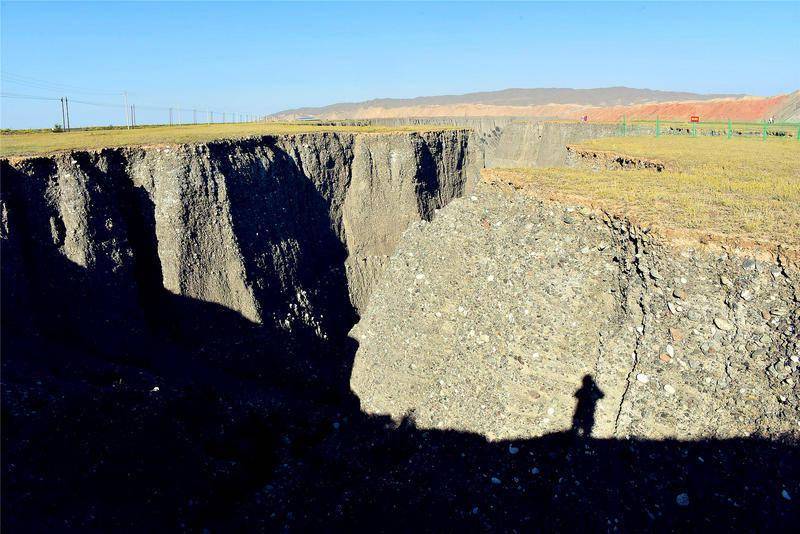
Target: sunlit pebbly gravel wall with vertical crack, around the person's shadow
[(490, 317)]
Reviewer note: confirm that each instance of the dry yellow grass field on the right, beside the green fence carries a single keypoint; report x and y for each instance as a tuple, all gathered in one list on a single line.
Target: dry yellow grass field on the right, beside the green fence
[(741, 190)]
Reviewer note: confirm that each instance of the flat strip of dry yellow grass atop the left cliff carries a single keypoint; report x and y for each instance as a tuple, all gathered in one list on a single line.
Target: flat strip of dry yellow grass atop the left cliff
[(41, 142)]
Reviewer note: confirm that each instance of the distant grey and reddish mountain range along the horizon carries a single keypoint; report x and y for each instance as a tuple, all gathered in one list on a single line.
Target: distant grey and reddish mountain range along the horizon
[(599, 104)]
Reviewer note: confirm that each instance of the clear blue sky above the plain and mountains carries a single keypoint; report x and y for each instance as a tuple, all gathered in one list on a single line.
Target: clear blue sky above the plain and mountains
[(262, 58)]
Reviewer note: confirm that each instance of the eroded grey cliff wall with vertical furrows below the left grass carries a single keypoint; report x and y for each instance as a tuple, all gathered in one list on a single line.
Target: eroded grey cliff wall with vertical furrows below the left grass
[(289, 232)]
